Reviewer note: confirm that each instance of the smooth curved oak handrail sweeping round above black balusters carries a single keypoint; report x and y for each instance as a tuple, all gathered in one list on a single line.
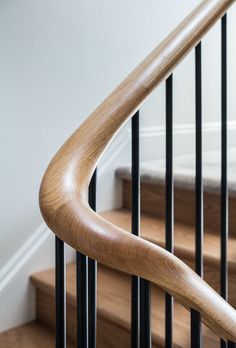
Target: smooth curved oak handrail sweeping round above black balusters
[(63, 193)]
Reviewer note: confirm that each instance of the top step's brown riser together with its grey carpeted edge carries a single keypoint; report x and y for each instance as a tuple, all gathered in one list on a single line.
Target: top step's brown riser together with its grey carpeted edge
[(153, 199)]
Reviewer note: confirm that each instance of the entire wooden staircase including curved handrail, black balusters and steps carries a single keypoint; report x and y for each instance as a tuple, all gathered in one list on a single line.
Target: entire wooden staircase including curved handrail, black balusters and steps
[(147, 261)]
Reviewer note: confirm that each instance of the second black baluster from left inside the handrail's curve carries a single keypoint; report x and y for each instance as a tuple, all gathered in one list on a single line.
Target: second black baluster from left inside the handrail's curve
[(135, 290)]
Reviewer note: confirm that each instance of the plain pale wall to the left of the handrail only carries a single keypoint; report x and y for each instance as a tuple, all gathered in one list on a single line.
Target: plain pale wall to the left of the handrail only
[(58, 60)]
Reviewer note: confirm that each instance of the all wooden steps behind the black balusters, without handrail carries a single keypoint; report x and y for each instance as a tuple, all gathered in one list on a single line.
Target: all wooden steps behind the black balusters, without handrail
[(114, 297)]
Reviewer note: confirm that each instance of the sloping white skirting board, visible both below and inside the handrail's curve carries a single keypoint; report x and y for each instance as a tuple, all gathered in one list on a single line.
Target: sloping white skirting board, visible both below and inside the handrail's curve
[(17, 295)]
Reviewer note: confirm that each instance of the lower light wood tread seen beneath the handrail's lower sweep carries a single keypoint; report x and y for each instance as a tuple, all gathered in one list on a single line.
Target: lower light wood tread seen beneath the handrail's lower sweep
[(114, 304)]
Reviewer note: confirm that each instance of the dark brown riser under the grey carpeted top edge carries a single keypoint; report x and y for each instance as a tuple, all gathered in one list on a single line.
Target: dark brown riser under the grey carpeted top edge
[(153, 203)]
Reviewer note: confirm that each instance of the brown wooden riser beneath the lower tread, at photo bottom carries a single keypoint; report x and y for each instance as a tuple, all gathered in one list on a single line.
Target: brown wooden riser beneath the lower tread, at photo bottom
[(110, 335)]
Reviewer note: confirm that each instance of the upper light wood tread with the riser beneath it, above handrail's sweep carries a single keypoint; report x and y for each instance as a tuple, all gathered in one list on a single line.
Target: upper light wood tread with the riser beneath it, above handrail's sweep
[(153, 229)]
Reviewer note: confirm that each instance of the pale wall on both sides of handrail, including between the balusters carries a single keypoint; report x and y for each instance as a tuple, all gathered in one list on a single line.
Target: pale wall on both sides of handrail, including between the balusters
[(58, 60)]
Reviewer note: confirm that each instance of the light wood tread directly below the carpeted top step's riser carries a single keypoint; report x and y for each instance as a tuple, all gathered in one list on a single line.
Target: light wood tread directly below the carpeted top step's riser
[(153, 229)]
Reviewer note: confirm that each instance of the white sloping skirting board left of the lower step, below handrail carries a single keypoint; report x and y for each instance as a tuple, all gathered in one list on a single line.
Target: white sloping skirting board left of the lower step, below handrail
[(17, 295)]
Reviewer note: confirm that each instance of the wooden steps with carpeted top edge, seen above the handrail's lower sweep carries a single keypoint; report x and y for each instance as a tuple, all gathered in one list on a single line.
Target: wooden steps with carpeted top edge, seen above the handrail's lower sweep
[(153, 219)]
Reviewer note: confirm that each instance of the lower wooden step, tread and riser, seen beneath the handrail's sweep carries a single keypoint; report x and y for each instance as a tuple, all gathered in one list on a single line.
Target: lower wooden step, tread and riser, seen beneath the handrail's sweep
[(114, 310)]
